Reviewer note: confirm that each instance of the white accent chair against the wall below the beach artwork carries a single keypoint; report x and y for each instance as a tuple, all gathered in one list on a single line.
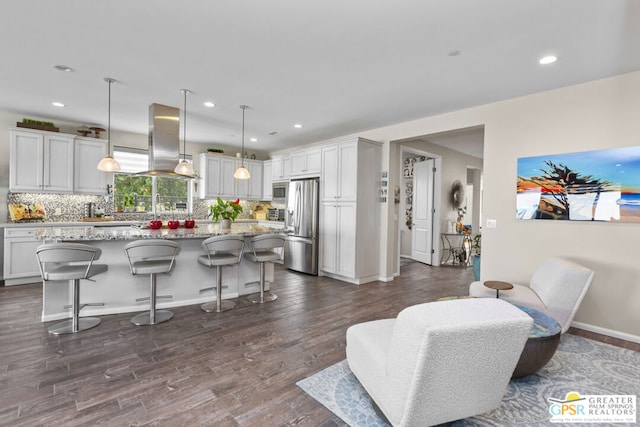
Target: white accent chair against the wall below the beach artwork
[(557, 288)]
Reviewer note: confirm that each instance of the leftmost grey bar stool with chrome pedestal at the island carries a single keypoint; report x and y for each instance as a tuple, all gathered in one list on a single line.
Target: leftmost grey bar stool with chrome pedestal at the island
[(73, 262)]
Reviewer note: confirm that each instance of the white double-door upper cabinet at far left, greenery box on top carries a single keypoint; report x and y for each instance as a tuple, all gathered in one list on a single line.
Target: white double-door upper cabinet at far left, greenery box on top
[(41, 162)]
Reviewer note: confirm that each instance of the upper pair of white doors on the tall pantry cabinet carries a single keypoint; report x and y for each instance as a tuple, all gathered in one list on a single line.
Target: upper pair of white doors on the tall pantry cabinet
[(339, 171)]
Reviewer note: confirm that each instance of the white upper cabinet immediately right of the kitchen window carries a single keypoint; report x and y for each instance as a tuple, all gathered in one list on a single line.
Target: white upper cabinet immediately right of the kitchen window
[(216, 176)]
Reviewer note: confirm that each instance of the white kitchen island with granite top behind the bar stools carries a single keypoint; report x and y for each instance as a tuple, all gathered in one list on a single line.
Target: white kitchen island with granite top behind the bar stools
[(118, 289)]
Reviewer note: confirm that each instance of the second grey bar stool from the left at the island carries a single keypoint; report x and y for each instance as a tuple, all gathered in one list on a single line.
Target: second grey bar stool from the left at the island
[(152, 257)]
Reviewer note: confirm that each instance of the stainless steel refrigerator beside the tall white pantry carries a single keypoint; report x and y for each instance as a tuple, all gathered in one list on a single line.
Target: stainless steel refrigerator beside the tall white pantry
[(301, 225)]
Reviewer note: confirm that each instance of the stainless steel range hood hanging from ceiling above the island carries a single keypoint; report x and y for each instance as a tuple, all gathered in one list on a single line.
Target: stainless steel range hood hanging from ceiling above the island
[(164, 141)]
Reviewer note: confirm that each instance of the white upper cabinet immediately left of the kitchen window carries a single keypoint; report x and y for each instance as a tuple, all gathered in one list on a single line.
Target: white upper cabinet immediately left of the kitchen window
[(87, 154)]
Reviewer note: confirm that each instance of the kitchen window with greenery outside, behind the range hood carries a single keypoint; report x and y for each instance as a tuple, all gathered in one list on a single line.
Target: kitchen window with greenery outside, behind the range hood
[(139, 193)]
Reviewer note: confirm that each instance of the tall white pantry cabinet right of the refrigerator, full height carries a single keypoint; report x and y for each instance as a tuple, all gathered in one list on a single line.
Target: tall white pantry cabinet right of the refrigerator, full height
[(350, 211)]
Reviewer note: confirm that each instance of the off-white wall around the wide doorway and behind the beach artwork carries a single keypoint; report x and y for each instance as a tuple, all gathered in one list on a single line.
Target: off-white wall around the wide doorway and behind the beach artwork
[(594, 115)]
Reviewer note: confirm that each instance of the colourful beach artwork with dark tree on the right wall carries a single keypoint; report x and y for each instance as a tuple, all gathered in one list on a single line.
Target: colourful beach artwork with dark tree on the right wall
[(600, 185)]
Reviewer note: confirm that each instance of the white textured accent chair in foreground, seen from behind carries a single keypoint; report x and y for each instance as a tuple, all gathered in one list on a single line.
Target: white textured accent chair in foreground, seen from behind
[(440, 361)]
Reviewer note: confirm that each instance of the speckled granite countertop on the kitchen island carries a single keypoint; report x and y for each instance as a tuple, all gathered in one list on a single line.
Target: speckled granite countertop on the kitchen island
[(134, 232)]
